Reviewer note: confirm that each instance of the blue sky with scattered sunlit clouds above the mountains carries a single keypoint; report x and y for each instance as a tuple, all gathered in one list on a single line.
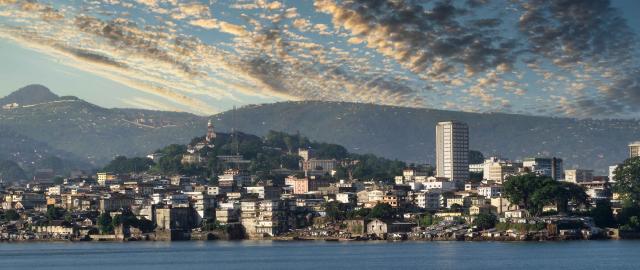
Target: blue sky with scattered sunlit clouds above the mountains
[(567, 58)]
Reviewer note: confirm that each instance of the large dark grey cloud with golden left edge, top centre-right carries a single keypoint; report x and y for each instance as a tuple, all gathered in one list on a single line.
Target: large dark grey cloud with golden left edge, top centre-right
[(432, 43)]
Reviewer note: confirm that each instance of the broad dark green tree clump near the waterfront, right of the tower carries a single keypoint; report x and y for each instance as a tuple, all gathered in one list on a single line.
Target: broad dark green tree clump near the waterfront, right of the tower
[(533, 192)]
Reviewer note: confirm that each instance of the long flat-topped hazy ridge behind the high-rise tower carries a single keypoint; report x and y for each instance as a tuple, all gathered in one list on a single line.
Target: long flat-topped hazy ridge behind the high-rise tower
[(409, 133)]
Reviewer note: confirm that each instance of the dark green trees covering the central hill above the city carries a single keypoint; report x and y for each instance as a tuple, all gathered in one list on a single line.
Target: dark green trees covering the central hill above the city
[(277, 150)]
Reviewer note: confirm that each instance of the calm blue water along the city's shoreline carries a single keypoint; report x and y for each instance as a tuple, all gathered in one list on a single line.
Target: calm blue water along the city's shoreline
[(581, 255)]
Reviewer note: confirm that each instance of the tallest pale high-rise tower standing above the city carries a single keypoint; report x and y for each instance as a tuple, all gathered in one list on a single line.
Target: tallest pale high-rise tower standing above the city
[(452, 151)]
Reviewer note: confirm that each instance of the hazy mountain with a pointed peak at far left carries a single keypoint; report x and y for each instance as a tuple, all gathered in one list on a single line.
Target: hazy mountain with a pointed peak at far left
[(92, 134)]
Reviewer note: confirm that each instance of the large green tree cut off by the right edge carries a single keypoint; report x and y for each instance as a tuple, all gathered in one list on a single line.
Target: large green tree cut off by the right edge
[(627, 180)]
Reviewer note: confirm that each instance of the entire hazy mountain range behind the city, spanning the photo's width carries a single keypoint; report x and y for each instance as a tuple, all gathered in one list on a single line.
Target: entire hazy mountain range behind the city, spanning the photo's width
[(88, 134)]
